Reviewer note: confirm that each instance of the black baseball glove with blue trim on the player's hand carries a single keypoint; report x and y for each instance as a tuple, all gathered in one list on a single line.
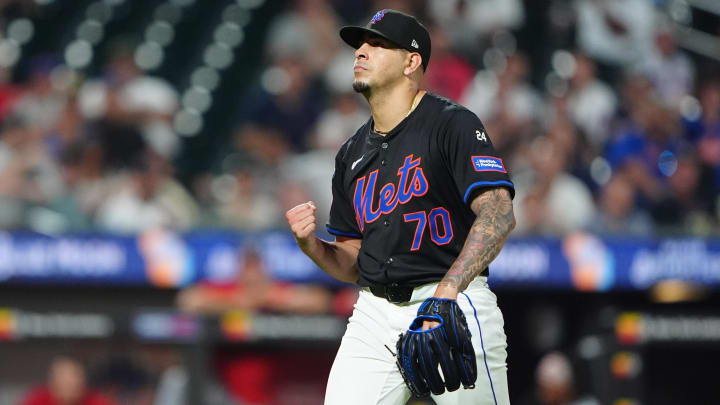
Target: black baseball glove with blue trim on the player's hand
[(420, 352)]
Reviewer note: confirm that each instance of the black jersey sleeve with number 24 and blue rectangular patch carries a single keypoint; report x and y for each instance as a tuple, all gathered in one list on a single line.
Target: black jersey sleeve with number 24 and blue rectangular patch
[(471, 157)]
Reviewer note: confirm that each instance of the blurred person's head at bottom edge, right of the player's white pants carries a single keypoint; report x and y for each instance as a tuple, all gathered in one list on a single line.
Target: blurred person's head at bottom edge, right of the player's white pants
[(556, 383)]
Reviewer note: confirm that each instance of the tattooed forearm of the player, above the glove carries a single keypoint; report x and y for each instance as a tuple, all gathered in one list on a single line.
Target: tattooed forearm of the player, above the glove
[(495, 220)]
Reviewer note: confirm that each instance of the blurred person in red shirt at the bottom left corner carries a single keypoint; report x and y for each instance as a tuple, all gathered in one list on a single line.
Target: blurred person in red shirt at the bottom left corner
[(66, 385)]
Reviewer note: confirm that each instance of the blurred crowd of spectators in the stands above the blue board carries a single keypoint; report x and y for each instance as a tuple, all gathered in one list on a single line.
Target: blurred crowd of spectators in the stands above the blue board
[(608, 125)]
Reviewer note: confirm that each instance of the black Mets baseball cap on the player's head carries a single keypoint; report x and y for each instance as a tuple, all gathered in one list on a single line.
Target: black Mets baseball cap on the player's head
[(402, 29)]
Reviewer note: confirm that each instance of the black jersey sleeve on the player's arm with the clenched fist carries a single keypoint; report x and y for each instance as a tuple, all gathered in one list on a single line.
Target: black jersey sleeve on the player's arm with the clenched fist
[(342, 213)]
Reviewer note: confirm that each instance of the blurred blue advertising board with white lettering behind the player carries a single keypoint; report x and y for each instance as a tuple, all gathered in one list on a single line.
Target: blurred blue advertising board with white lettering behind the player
[(161, 258)]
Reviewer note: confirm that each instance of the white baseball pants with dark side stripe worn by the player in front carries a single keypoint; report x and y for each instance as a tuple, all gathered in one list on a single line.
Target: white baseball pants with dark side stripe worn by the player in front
[(364, 371)]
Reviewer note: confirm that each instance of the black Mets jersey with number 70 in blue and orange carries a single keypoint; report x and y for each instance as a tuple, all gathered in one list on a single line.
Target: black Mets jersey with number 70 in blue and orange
[(407, 194)]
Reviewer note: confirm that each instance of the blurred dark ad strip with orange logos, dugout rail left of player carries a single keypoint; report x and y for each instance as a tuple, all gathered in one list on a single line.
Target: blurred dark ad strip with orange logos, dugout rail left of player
[(169, 326)]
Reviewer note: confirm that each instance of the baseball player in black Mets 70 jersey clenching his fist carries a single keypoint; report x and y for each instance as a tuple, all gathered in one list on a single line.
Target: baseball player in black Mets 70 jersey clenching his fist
[(421, 205)]
